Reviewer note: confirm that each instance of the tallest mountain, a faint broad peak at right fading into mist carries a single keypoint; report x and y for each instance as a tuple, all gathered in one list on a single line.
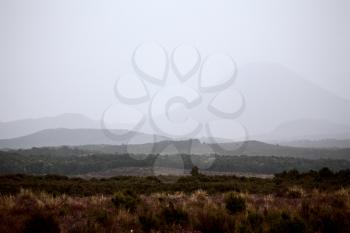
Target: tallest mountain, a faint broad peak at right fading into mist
[(279, 105)]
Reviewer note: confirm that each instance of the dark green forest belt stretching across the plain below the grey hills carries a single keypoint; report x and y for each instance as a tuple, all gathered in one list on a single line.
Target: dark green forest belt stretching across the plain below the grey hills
[(56, 161)]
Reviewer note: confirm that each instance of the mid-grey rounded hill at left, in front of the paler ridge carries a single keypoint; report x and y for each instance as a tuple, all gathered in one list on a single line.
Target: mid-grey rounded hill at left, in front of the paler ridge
[(70, 137)]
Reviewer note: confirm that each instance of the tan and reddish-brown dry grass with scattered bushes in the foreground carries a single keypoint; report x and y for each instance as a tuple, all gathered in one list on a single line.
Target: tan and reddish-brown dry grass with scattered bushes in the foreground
[(297, 211)]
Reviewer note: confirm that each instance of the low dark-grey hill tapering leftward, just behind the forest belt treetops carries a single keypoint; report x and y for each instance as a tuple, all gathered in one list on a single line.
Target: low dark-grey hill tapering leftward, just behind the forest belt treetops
[(195, 147)]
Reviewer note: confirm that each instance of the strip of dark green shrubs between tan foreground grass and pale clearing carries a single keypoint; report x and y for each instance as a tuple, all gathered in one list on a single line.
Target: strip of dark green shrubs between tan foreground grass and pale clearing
[(324, 180)]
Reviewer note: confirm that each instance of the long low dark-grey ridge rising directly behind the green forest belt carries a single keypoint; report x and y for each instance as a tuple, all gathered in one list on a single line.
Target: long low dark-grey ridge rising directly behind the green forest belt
[(194, 147)]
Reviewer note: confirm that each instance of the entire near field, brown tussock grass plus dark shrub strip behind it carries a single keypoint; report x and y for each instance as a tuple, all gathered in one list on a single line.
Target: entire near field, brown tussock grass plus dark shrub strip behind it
[(316, 201)]
